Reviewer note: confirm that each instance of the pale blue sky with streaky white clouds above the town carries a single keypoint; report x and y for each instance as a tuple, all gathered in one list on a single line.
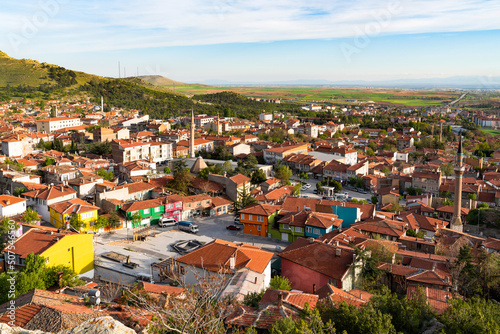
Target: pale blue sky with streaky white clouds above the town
[(258, 41)]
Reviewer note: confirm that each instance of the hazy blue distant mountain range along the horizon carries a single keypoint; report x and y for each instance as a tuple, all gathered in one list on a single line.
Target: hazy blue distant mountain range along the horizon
[(456, 82)]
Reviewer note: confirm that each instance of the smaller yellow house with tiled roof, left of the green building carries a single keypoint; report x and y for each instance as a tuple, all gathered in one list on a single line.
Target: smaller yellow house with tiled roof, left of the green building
[(60, 214)]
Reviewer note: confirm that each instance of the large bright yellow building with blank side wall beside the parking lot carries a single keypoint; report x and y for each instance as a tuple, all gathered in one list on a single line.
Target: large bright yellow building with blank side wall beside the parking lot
[(75, 250)]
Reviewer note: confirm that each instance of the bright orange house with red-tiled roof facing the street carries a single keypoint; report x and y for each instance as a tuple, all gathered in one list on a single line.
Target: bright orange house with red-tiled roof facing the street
[(257, 218)]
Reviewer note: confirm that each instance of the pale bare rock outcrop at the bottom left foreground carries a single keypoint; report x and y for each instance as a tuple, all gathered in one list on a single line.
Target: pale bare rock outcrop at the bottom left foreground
[(101, 325)]
